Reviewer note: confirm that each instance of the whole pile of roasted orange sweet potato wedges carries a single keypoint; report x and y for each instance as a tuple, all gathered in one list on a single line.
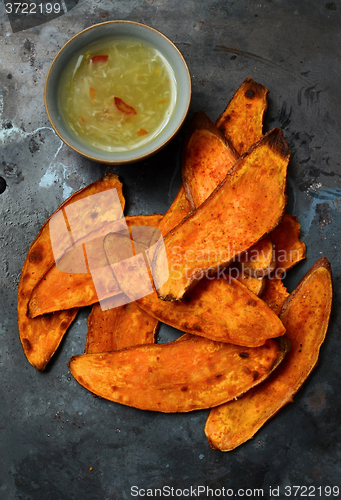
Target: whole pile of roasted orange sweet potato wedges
[(227, 244)]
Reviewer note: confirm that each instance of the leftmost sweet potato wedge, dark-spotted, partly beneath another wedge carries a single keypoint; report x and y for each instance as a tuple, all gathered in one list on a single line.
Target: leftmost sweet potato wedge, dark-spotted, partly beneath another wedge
[(40, 337)]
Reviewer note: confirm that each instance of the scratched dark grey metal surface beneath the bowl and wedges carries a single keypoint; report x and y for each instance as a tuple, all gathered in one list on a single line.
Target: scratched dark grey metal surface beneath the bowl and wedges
[(52, 430)]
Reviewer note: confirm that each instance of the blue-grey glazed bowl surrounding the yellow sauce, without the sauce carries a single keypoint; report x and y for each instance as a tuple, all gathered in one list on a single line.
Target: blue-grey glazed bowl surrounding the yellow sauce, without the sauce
[(94, 34)]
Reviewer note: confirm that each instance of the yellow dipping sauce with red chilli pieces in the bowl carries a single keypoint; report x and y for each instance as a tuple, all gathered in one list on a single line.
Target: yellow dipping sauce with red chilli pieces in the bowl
[(117, 94)]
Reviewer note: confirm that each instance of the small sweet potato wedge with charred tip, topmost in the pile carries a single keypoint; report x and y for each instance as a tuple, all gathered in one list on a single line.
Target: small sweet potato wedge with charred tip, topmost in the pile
[(242, 121)]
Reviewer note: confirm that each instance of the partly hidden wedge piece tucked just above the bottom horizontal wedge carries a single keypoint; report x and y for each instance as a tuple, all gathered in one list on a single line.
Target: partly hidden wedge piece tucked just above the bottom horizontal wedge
[(118, 328)]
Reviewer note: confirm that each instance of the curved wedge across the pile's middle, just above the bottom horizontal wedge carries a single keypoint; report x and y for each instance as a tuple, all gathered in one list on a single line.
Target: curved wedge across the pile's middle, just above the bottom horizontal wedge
[(219, 309)]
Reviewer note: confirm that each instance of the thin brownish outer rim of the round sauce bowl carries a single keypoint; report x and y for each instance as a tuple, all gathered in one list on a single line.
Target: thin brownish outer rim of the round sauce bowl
[(138, 157)]
